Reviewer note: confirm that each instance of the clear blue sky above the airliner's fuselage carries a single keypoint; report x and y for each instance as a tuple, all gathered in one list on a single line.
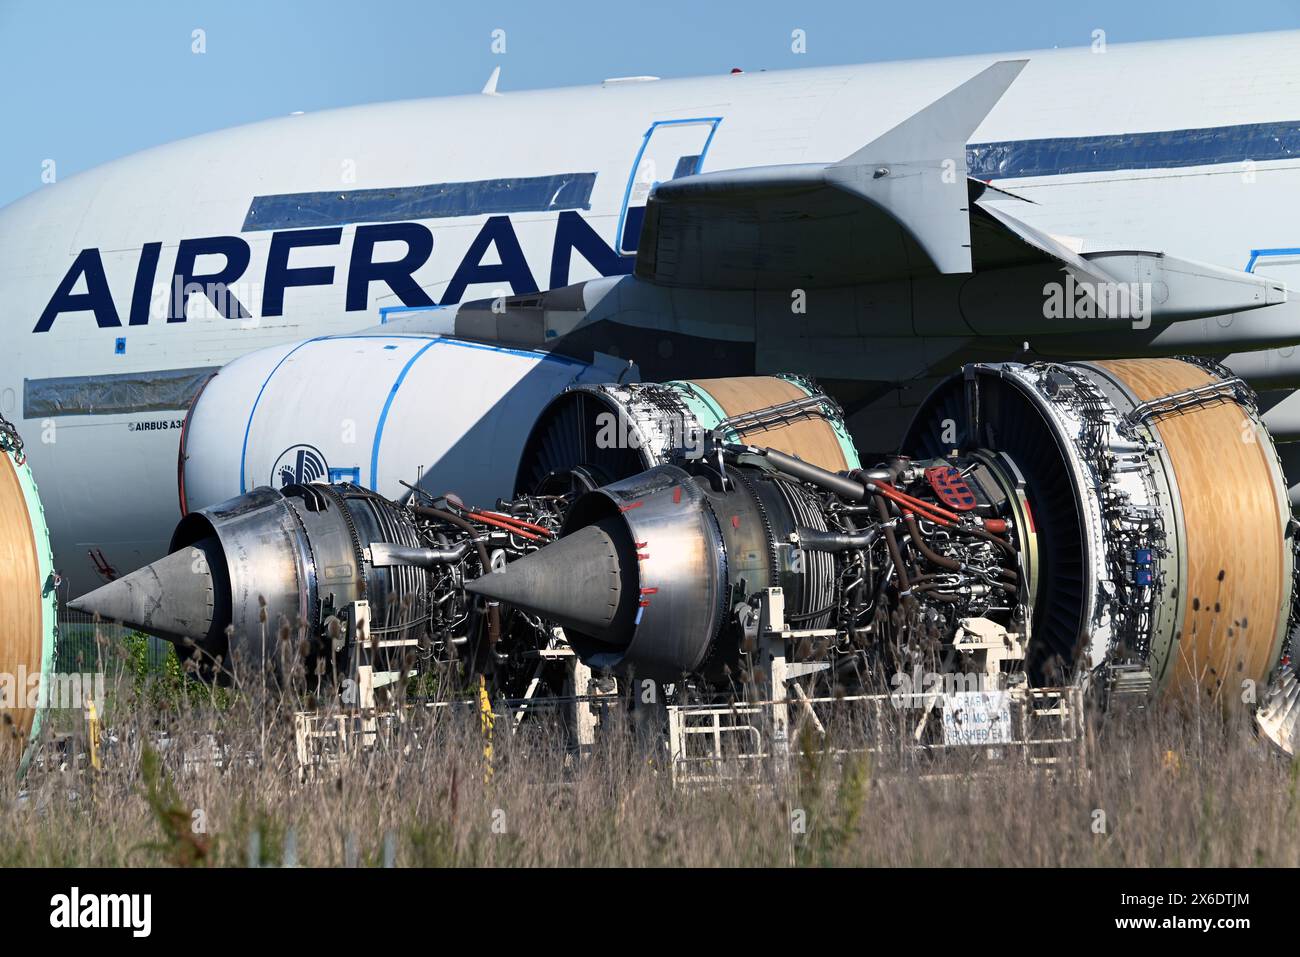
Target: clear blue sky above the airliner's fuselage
[(86, 81)]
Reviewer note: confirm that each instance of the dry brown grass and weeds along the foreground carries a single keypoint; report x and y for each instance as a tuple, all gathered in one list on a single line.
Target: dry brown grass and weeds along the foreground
[(1173, 791)]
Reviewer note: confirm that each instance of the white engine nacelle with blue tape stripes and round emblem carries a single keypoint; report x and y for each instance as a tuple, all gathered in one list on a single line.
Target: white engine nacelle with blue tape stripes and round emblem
[(372, 410)]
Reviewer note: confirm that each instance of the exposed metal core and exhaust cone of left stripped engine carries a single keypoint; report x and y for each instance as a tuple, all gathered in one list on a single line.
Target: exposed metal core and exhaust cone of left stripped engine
[(284, 575)]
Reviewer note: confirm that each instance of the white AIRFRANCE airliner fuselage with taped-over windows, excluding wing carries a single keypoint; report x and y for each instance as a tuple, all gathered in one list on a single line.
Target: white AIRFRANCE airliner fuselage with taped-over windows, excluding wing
[(314, 224)]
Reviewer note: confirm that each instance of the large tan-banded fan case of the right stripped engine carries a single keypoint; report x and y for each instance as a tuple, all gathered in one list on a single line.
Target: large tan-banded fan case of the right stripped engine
[(1163, 531)]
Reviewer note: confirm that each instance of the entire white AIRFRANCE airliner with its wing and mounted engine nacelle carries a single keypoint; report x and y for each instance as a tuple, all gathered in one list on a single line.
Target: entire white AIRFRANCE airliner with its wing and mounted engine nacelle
[(873, 227)]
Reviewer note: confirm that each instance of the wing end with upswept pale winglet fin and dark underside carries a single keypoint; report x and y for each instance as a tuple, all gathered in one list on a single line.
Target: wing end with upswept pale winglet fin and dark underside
[(837, 224)]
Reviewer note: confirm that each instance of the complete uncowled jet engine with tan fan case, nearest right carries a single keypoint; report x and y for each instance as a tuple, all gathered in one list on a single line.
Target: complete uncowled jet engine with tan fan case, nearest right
[(1121, 521)]
